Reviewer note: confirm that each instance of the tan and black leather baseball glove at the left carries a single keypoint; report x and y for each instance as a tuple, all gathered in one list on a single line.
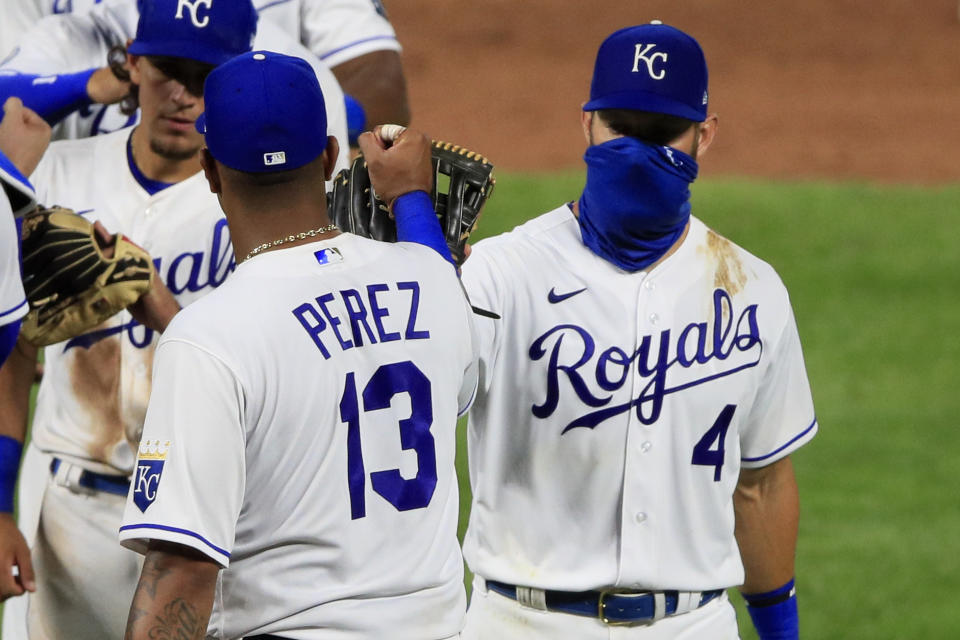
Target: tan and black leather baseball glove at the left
[(71, 283)]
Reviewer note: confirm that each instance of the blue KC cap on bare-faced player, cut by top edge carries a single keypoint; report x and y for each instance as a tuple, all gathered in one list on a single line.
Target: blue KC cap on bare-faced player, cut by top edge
[(209, 31)]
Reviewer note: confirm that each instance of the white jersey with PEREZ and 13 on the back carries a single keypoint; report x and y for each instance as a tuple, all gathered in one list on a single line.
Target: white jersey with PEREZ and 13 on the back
[(302, 433)]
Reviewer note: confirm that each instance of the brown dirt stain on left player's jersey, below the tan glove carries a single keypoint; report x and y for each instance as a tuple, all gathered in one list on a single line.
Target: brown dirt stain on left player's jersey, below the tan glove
[(95, 378)]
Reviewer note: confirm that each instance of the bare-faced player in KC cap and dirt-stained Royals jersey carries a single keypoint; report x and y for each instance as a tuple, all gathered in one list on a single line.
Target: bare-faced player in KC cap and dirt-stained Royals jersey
[(147, 183)]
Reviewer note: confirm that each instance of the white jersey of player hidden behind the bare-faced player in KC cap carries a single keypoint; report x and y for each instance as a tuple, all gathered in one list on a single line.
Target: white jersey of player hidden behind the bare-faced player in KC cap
[(76, 42)]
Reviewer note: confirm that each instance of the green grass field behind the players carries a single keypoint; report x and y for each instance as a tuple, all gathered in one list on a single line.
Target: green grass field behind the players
[(874, 276)]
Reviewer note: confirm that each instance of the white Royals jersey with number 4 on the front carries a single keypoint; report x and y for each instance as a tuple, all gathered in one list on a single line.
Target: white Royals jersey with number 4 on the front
[(615, 410)]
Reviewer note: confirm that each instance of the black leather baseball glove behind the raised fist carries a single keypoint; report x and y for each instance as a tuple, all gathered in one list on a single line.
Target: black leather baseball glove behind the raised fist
[(463, 181)]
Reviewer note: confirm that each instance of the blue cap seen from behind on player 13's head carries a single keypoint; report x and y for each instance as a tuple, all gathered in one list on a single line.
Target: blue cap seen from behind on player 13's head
[(264, 112)]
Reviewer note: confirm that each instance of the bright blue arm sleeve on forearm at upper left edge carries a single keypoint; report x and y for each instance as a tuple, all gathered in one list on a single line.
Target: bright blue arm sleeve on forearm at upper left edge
[(53, 97)]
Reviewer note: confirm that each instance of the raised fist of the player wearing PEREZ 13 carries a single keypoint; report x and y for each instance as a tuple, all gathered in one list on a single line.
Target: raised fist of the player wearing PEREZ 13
[(402, 167)]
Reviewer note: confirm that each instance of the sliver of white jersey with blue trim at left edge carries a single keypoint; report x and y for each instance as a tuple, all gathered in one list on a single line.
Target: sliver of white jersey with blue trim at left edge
[(16, 197)]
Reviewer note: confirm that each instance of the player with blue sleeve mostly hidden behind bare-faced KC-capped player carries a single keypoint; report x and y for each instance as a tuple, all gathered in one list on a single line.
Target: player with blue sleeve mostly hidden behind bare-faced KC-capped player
[(75, 46)]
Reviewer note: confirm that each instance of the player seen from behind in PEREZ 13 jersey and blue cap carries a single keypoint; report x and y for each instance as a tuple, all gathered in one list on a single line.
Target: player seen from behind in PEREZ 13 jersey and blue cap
[(301, 431)]
